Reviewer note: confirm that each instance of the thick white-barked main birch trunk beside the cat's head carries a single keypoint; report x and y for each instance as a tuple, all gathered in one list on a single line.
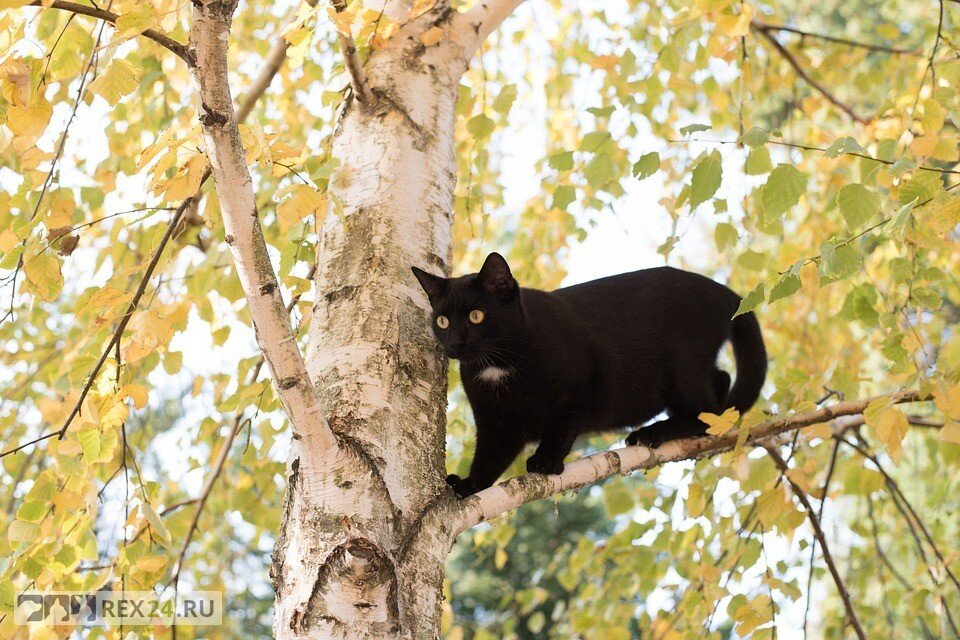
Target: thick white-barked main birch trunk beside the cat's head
[(355, 557)]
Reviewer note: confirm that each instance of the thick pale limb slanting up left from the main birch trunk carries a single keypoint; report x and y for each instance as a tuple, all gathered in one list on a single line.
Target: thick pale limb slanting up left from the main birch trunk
[(209, 38)]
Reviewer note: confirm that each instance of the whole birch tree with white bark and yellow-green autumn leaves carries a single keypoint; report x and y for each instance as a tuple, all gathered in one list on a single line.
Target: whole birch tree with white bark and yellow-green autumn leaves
[(281, 173)]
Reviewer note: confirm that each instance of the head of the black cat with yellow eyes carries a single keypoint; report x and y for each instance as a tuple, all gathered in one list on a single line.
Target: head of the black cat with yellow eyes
[(474, 316)]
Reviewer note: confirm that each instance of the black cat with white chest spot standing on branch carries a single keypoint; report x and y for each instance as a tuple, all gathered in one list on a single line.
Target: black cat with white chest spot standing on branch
[(547, 367)]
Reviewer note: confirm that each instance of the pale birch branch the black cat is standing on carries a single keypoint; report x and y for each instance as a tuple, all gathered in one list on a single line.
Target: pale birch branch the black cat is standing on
[(518, 491)]
